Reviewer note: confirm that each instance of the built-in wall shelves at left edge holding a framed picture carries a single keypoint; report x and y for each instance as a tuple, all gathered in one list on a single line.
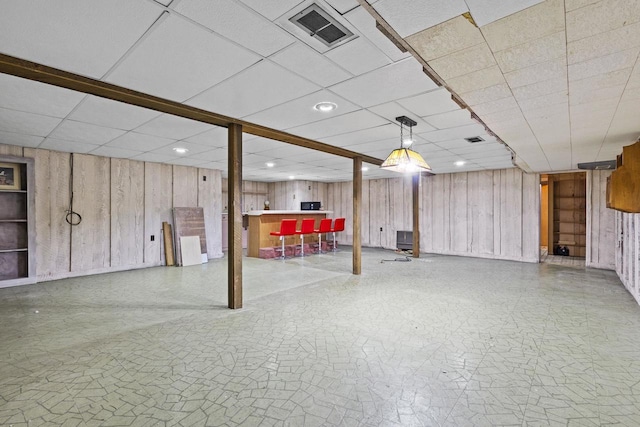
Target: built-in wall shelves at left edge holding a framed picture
[(17, 222)]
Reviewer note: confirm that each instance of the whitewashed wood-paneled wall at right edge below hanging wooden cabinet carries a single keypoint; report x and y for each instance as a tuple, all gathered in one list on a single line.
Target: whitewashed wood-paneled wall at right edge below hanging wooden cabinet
[(628, 251)]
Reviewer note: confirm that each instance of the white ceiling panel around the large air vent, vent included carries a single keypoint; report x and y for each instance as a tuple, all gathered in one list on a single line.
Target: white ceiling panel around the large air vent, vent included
[(317, 27)]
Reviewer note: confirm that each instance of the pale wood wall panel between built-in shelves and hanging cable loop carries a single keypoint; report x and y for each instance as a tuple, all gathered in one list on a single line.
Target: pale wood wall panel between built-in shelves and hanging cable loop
[(53, 234)]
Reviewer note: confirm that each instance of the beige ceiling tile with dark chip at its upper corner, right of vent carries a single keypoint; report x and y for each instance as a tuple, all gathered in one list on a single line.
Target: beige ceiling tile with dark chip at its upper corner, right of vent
[(444, 39)]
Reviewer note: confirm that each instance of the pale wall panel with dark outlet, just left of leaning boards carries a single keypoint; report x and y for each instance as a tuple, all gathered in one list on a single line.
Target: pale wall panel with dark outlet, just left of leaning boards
[(158, 201)]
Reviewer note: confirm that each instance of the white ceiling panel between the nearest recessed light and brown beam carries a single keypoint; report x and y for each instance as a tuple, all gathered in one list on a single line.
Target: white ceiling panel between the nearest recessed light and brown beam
[(351, 122)]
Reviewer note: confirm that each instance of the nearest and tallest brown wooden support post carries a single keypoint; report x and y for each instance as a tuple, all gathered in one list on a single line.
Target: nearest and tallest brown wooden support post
[(235, 216)]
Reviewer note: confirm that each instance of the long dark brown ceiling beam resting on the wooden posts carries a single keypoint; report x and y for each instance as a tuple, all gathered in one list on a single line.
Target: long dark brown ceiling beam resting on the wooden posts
[(53, 76)]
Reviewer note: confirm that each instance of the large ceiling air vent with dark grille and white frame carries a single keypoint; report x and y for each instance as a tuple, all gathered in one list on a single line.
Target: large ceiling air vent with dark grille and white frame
[(320, 25)]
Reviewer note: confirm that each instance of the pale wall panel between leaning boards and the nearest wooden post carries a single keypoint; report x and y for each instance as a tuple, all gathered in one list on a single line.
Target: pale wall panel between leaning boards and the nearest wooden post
[(209, 199)]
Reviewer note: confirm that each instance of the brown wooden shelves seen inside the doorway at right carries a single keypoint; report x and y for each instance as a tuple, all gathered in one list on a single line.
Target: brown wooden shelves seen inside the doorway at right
[(568, 214)]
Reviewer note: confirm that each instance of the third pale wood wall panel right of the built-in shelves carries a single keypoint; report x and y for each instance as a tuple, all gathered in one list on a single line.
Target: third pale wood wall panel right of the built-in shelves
[(127, 212)]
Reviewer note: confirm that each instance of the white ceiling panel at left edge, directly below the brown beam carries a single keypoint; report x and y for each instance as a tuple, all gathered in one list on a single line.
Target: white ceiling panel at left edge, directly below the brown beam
[(34, 97)]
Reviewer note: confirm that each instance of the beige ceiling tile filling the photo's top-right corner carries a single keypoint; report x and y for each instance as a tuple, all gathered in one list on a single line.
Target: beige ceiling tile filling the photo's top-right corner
[(601, 17)]
